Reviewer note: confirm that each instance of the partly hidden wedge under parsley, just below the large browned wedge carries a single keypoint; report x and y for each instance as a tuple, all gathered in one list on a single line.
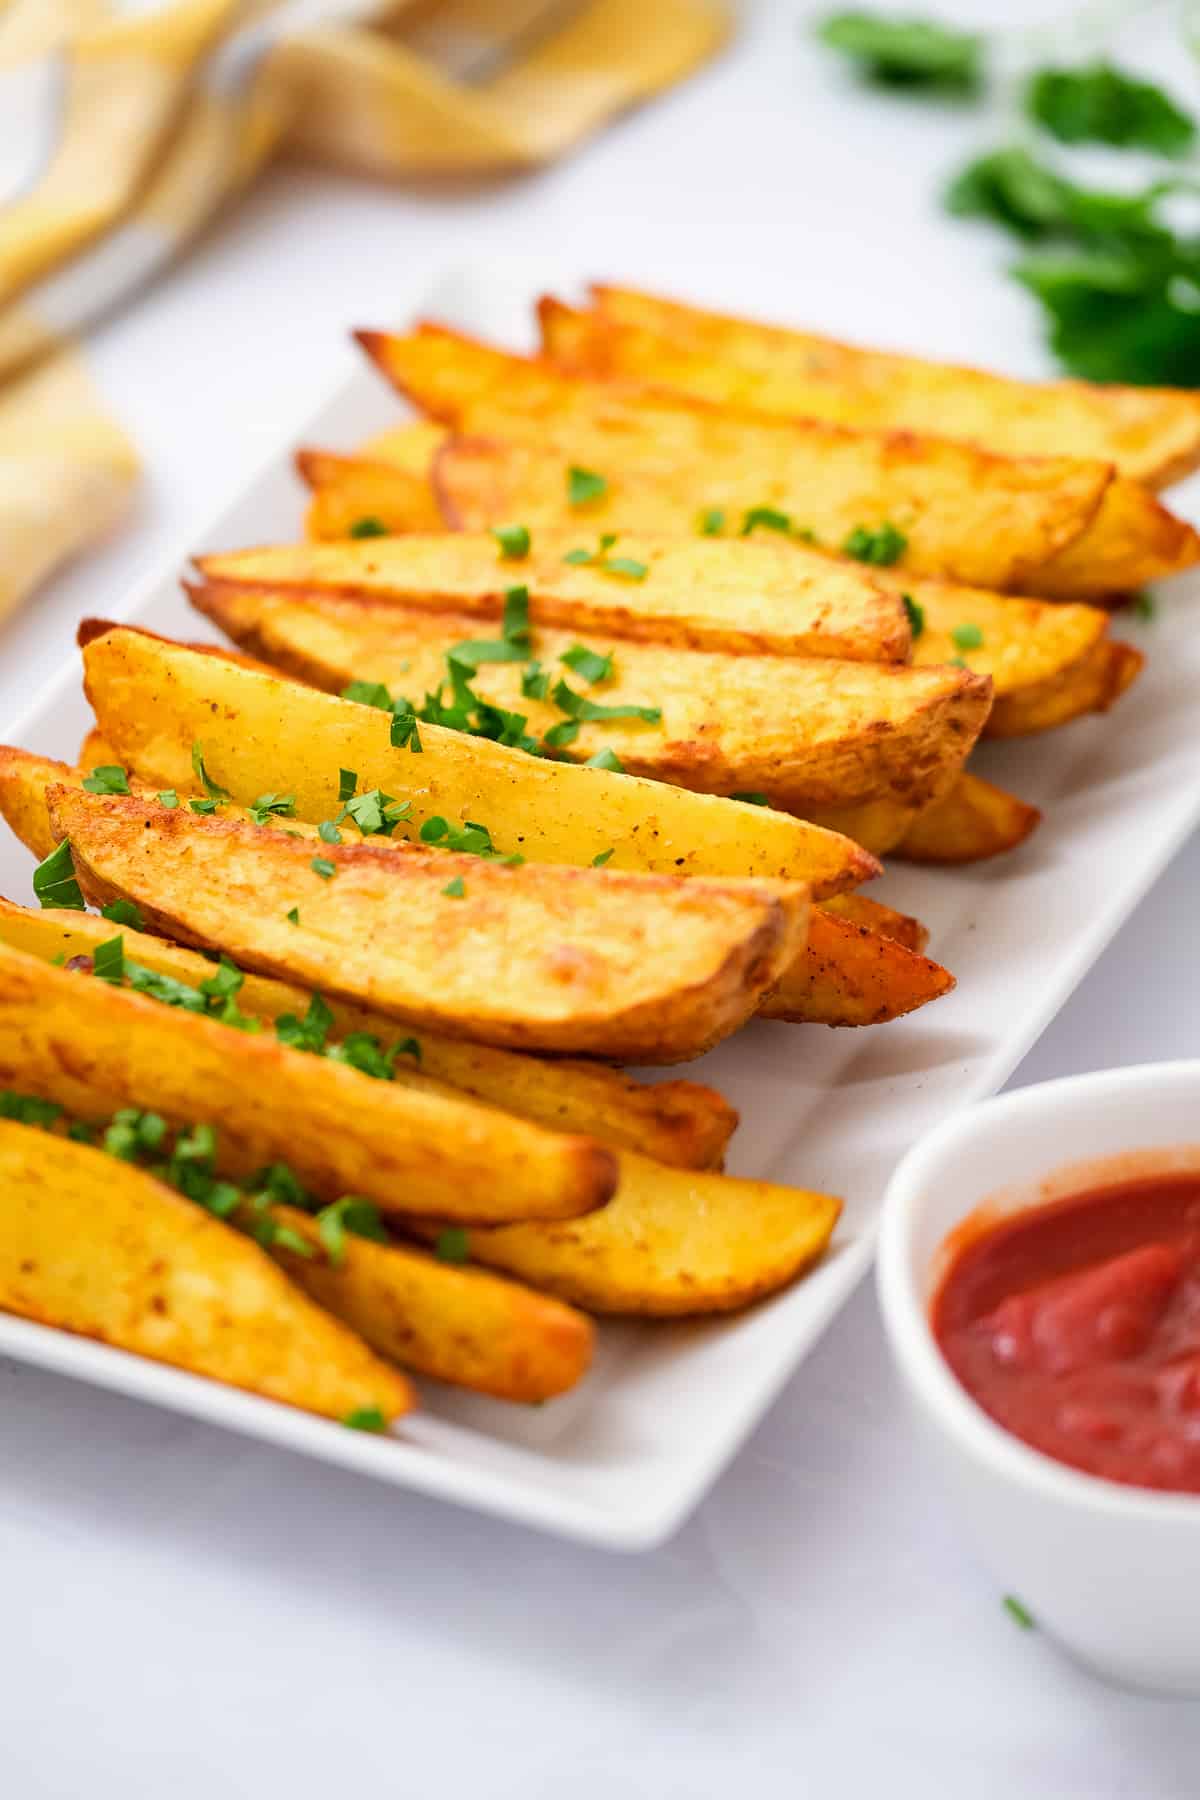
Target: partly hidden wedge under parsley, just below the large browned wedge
[(674, 1122)]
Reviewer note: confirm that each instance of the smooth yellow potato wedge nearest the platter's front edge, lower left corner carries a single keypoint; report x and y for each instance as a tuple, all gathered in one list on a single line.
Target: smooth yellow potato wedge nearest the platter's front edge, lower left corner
[(103, 1250)]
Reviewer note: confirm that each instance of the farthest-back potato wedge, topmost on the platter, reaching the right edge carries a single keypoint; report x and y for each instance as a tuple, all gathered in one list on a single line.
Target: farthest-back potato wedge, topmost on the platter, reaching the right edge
[(1151, 435)]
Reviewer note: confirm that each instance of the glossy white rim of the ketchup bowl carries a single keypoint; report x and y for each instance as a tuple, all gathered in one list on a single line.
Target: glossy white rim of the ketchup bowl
[(911, 1336)]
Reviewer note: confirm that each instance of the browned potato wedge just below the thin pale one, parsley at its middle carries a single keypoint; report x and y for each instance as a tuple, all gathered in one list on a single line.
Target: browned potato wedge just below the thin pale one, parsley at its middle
[(803, 732)]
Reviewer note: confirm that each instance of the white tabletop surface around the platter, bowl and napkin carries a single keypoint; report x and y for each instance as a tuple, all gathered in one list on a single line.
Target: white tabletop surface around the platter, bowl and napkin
[(186, 1614)]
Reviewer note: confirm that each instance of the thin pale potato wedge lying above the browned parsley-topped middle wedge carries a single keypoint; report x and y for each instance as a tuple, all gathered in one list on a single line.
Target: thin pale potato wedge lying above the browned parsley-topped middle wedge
[(748, 597)]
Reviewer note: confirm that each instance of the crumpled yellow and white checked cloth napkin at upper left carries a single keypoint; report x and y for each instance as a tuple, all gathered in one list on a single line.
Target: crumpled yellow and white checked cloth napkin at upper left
[(141, 125)]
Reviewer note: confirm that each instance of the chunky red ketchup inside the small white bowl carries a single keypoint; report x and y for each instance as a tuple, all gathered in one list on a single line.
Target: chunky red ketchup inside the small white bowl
[(1077, 1327)]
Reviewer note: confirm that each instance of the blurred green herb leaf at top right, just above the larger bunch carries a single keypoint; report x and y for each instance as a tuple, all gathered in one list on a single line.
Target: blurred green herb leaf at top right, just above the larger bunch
[(1102, 105)]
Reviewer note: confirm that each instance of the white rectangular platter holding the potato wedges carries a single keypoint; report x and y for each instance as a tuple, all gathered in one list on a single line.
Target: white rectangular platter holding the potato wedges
[(623, 1459)]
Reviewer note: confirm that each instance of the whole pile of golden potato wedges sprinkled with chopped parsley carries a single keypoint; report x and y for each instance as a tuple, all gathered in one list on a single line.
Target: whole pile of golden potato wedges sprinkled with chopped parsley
[(568, 741)]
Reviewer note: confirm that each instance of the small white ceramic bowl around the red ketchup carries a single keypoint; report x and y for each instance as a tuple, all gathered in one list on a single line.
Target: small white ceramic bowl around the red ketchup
[(1111, 1572)]
